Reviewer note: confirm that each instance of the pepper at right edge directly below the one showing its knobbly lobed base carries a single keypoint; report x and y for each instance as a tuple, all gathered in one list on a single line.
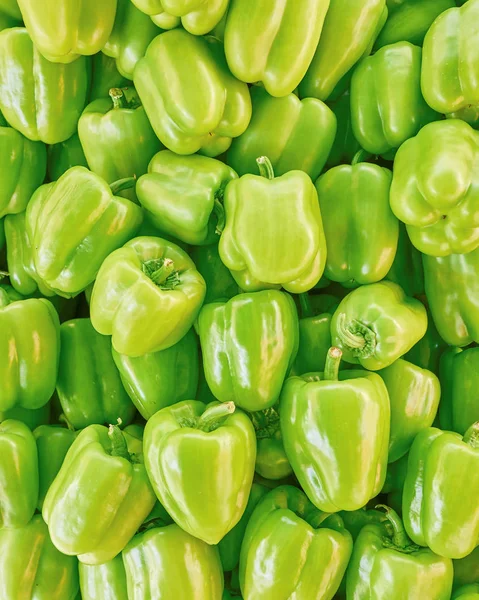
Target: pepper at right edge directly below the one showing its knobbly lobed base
[(452, 288)]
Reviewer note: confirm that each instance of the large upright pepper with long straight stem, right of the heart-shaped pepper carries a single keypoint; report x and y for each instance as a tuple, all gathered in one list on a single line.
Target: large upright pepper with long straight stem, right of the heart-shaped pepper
[(319, 412)]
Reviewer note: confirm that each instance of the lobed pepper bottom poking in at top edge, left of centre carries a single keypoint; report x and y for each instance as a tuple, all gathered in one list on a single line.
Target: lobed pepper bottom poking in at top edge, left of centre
[(196, 16)]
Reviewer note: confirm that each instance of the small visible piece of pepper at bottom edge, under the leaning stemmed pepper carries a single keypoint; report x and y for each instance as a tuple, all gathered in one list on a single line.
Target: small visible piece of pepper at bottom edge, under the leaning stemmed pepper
[(103, 582)]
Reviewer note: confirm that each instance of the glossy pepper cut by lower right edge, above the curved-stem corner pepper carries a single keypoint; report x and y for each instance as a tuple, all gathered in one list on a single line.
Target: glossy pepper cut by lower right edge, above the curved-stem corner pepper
[(441, 463)]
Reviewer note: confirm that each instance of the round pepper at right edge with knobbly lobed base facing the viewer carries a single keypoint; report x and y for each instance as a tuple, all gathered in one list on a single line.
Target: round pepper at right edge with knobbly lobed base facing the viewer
[(433, 189)]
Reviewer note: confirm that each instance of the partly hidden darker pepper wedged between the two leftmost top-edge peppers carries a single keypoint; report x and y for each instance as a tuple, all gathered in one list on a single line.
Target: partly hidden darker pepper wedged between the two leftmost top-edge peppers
[(131, 35)]
